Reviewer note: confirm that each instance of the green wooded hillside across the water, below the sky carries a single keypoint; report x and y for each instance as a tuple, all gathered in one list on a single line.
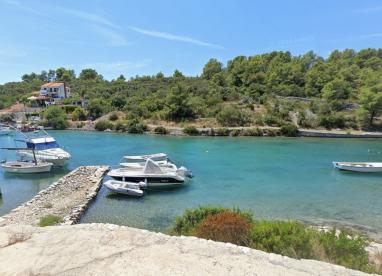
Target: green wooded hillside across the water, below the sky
[(341, 91)]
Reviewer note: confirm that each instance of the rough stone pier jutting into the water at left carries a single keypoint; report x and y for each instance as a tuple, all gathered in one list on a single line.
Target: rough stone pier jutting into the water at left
[(67, 198)]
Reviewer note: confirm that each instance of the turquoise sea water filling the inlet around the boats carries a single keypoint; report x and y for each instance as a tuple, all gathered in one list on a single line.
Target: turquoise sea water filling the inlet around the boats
[(276, 178)]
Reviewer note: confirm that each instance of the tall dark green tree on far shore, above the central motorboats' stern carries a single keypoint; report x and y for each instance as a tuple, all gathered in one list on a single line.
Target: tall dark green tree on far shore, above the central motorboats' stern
[(178, 104)]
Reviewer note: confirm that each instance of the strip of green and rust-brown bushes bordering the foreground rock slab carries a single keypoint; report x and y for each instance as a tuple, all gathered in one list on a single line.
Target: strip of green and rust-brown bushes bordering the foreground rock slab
[(289, 238)]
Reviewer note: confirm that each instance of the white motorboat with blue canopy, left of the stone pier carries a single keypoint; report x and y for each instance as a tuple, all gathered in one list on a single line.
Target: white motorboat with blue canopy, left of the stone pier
[(47, 149)]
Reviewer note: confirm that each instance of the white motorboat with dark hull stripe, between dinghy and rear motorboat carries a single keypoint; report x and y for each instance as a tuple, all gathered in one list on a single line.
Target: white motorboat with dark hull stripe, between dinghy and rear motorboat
[(151, 173)]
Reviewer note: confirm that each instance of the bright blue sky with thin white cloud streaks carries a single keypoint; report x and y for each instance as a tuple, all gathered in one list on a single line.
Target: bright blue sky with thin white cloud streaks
[(144, 37)]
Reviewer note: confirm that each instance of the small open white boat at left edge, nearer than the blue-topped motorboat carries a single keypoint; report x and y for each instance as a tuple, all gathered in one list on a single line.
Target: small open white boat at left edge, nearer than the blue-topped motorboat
[(26, 167)]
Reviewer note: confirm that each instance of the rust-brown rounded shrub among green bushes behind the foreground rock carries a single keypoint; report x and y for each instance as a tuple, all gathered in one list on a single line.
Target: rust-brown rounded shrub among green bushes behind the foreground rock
[(225, 226)]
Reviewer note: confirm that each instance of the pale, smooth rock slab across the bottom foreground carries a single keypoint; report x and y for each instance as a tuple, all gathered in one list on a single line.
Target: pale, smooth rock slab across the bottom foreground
[(105, 249)]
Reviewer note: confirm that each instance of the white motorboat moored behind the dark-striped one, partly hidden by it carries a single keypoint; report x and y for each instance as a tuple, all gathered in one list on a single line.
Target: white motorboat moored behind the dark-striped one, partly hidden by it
[(139, 161)]
